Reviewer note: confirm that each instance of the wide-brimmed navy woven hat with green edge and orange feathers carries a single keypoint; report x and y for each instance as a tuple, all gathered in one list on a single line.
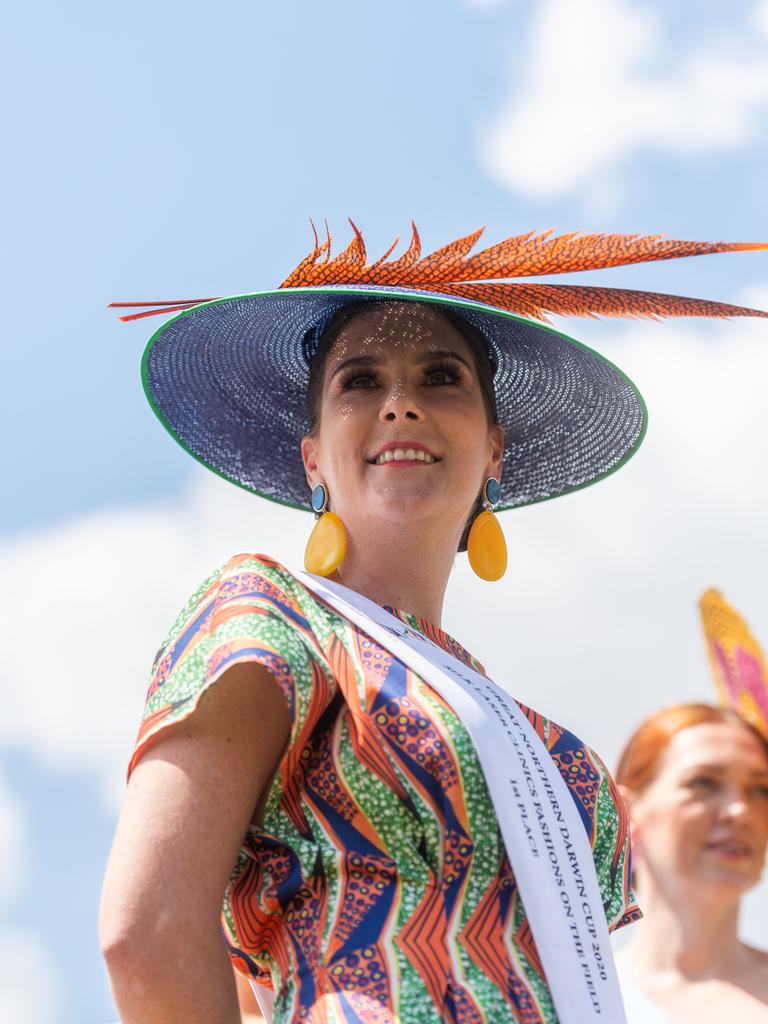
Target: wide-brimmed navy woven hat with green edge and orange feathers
[(229, 377)]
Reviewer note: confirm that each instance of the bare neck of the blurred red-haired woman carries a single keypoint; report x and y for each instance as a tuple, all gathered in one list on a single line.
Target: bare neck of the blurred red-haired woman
[(687, 936)]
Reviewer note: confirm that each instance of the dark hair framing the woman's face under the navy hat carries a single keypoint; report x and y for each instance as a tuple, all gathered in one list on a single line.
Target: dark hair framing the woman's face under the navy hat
[(483, 359)]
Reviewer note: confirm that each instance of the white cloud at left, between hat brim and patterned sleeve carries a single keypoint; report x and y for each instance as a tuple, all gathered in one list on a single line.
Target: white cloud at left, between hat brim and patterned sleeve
[(86, 607)]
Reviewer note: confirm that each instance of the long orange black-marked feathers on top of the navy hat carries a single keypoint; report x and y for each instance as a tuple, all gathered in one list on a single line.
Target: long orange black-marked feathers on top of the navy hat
[(452, 271)]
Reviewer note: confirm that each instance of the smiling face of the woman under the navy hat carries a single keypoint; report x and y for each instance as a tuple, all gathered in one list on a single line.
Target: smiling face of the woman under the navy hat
[(404, 434)]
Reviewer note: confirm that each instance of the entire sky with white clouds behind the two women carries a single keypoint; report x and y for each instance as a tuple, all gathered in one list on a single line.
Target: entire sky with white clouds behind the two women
[(176, 150)]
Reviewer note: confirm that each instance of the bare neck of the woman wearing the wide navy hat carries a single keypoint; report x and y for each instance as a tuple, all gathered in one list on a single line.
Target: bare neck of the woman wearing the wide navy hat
[(407, 570)]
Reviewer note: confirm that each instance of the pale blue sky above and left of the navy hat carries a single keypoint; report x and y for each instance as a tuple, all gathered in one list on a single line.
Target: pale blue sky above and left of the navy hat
[(173, 152)]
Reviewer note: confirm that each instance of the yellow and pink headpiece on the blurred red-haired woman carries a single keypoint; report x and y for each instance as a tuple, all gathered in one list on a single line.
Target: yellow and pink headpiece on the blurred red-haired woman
[(738, 662)]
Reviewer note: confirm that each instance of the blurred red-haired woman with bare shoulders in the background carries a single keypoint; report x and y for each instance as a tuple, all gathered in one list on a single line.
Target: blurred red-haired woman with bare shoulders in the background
[(696, 779)]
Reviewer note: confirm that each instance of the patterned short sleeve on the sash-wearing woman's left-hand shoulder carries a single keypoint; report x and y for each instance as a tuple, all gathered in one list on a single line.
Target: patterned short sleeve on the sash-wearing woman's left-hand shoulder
[(246, 612)]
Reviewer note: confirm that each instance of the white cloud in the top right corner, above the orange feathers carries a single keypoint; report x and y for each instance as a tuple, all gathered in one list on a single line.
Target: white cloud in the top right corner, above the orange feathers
[(590, 95)]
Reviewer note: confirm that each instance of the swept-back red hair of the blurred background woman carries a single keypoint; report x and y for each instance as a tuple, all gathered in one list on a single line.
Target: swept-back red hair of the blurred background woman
[(641, 758)]
